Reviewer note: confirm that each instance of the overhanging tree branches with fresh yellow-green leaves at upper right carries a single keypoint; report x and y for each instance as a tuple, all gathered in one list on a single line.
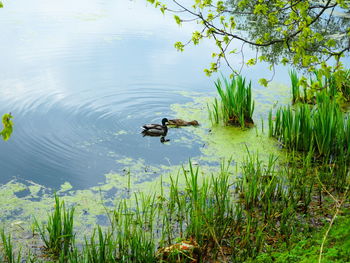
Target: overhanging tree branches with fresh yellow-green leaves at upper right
[(301, 33)]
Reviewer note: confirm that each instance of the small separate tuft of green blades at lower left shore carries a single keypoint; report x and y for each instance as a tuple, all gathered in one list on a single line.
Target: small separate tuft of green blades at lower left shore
[(57, 234)]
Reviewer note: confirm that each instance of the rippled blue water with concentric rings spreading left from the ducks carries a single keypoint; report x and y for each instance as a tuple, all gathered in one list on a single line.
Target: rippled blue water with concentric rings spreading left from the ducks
[(78, 136)]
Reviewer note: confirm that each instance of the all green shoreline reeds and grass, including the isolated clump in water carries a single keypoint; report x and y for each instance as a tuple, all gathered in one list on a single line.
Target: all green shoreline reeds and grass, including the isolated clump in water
[(295, 210)]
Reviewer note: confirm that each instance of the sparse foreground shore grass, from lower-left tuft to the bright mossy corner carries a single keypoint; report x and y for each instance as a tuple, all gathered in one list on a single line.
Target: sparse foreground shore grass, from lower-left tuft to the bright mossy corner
[(228, 217)]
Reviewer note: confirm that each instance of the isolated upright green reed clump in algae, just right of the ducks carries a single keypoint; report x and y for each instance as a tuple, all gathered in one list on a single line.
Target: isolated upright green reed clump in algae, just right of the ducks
[(236, 105)]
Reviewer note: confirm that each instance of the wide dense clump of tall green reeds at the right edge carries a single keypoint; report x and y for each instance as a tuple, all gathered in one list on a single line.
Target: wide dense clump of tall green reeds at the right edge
[(322, 128)]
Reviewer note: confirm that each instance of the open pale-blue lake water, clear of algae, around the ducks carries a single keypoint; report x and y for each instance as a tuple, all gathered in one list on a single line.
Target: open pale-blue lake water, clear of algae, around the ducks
[(82, 77)]
